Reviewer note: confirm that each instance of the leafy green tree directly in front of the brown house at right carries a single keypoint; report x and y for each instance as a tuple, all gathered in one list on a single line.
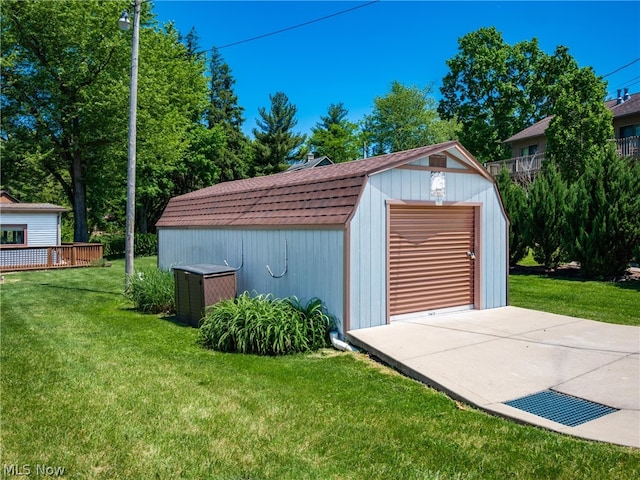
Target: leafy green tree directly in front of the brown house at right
[(581, 127)]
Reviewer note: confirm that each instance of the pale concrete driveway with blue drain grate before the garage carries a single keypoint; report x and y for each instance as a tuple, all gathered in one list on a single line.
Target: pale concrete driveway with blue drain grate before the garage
[(489, 357)]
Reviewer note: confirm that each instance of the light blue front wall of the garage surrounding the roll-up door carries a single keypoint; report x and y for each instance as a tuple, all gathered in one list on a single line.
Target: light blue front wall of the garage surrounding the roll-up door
[(368, 236)]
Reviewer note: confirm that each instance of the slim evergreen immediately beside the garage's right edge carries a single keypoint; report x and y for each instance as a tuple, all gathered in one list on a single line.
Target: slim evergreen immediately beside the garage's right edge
[(514, 200)]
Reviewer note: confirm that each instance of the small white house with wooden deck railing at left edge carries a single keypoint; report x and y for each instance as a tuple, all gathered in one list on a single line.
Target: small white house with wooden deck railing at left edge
[(30, 237)]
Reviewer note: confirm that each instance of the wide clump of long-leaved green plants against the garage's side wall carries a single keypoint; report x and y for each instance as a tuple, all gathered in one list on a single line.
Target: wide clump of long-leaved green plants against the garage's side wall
[(265, 325)]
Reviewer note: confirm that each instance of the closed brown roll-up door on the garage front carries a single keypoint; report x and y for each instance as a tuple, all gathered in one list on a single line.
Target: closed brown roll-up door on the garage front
[(429, 263)]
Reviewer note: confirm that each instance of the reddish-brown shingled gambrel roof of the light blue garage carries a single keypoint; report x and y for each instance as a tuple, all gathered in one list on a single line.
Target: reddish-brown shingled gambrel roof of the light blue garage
[(312, 196)]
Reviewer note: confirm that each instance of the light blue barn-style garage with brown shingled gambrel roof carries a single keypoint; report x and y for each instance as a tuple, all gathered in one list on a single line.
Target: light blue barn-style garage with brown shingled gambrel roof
[(376, 239)]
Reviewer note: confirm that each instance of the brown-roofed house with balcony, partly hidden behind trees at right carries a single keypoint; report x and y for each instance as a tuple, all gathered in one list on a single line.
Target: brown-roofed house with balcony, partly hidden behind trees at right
[(528, 146)]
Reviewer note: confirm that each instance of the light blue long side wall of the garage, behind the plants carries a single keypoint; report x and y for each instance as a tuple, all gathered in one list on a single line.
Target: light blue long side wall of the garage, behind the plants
[(314, 259)]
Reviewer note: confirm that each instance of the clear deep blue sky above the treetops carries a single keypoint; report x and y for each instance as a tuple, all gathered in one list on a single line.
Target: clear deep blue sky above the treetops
[(353, 57)]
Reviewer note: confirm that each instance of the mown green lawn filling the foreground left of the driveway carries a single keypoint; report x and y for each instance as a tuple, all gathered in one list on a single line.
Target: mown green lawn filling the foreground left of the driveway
[(93, 386)]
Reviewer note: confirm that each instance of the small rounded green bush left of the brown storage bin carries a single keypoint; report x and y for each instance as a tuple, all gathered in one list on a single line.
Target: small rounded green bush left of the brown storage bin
[(152, 291)]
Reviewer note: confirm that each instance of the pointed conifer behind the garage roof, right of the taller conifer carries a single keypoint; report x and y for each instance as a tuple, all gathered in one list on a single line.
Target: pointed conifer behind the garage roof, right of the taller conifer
[(275, 143)]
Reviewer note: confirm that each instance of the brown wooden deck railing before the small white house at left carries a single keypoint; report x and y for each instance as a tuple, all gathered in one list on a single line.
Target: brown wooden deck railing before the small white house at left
[(15, 258)]
